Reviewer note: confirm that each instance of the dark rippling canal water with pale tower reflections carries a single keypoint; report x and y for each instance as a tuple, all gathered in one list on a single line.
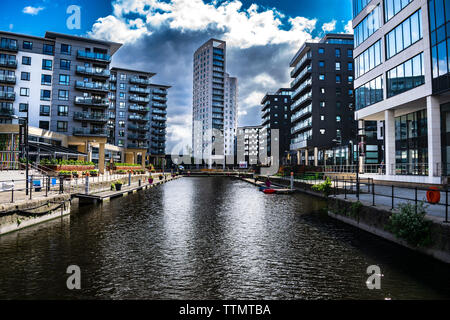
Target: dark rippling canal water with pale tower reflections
[(210, 238)]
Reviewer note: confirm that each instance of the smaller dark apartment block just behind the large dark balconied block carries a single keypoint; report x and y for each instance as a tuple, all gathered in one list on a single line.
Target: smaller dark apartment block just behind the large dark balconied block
[(276, 114)]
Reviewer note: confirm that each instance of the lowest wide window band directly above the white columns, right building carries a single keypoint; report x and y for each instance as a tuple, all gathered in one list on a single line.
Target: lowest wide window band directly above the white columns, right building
[(406, 76)]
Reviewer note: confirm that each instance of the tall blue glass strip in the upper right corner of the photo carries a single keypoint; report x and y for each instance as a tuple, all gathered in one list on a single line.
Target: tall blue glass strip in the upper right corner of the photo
[(439, 15)]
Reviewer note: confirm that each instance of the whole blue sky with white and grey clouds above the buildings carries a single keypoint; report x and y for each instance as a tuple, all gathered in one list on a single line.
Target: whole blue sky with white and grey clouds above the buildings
[(161, 36)]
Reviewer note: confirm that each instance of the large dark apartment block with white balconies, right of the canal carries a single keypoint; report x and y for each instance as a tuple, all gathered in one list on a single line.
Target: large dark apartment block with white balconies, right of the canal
[(322, 124)]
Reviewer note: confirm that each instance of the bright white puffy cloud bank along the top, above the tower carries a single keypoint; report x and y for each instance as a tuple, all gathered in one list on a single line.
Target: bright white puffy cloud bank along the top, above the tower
[(241, 28)]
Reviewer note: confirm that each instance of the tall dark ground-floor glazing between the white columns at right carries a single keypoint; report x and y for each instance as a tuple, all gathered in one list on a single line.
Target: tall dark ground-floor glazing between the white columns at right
[(411, 144)]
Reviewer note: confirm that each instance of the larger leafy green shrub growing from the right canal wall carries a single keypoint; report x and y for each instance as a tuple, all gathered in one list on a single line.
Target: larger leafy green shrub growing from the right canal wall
[(410, 225)]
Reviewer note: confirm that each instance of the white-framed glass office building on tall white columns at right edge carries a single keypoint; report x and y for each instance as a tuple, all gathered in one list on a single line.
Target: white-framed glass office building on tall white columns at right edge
[(402, 79)]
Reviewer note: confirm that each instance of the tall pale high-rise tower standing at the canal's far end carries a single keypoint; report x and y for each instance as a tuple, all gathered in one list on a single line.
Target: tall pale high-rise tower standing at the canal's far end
[(214, 104)]
